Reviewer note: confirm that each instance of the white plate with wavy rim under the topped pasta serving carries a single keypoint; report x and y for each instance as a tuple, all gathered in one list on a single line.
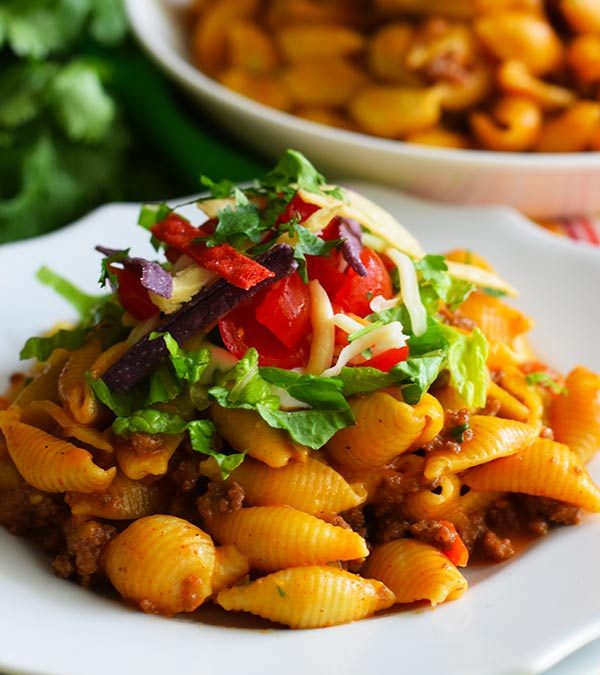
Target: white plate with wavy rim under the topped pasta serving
[(517, 618)]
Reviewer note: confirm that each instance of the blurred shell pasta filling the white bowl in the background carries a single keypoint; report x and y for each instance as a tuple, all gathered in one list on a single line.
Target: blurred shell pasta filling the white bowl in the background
[(465, 74)]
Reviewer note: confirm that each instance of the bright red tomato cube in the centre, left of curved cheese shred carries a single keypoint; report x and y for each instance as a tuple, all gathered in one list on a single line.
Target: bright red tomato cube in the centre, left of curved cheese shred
[(285, 310)]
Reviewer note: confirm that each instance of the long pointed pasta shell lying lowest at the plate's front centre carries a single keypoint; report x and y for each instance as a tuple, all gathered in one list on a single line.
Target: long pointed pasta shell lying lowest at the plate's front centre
[(309, 597)]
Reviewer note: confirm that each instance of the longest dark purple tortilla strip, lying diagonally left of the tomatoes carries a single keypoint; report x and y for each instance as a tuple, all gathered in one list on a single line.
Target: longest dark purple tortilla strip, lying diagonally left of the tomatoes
[(206, 307)]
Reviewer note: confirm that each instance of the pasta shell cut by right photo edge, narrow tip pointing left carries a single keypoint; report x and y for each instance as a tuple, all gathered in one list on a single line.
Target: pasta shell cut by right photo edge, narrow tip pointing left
[(545, 469)]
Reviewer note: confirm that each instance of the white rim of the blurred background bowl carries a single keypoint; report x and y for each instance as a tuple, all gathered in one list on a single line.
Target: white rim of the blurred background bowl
[(193, 78)]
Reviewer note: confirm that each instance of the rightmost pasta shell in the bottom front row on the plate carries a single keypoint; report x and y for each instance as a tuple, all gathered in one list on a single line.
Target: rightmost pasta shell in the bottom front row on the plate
[(415, 571)]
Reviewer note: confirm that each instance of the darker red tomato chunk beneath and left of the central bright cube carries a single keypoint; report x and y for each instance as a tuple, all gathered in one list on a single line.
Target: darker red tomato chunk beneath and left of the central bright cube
[(240, 330)]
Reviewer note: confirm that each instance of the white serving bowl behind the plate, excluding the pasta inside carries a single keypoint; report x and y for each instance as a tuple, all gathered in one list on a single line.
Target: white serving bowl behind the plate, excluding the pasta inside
[(540, 185)]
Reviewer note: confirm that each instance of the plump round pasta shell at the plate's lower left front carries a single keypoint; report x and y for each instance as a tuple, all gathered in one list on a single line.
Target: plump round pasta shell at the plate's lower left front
[(163, 564)]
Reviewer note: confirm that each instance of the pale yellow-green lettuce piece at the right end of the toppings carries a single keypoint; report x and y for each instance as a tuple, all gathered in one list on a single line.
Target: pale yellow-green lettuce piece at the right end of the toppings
[(467, 358)]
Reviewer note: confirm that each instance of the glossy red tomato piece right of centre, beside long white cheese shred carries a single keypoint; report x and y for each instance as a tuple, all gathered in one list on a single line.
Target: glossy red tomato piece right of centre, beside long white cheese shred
[(356, 293)]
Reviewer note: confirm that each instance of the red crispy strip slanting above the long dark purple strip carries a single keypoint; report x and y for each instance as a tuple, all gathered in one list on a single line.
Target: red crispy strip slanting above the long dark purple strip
[(224, 260)]
